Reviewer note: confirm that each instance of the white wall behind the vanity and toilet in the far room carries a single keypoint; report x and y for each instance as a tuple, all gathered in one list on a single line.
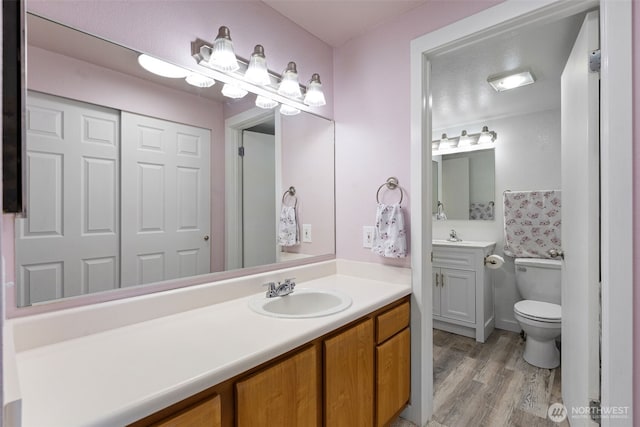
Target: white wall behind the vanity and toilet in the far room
[(527, 157)]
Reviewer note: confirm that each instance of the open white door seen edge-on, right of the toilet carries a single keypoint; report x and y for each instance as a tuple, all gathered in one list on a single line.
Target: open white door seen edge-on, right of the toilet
[(580, 225)]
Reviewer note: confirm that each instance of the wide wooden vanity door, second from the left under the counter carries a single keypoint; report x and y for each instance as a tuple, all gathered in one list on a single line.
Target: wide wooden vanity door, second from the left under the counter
[(284, 395)]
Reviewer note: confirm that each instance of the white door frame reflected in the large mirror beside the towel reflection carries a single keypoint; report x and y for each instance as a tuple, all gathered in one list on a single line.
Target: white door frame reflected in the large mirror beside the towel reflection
[(233, 127)]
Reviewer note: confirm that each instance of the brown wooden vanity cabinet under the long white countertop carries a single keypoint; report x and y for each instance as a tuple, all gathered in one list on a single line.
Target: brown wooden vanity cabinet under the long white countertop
[(358, 375)]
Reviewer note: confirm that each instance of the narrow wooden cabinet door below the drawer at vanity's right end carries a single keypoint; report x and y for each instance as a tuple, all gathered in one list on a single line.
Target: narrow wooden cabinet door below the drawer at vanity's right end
[(393, 379)]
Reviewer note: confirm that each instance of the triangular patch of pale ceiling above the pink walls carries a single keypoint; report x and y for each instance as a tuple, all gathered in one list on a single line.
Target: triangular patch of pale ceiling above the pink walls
[(337, 21)]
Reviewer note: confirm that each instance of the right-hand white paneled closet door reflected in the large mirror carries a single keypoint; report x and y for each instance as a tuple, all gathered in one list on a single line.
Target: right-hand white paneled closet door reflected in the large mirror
[(166, 200)]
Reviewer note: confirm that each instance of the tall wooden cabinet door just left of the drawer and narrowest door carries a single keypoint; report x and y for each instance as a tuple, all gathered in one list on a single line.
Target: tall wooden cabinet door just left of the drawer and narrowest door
[(348, 377)]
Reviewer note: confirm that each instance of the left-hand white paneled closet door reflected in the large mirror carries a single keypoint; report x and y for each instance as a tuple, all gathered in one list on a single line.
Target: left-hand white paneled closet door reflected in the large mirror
[(71, 229)]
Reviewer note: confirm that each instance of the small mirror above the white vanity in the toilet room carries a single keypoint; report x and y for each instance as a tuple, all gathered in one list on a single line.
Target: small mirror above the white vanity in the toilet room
[(464, 185)]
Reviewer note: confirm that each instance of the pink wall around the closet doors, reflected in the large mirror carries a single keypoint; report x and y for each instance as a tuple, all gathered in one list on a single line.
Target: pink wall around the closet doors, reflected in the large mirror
[(60, 75)]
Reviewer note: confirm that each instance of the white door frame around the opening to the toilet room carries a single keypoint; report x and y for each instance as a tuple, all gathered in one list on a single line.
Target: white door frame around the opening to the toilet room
[(616, 183)]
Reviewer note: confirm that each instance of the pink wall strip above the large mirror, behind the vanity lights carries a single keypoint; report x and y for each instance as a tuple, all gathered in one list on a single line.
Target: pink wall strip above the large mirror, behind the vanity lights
[(167, 28)]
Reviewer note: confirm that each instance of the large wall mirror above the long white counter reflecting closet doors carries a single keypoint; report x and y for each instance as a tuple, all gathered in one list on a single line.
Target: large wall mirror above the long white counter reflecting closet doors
[(135, 179)]
